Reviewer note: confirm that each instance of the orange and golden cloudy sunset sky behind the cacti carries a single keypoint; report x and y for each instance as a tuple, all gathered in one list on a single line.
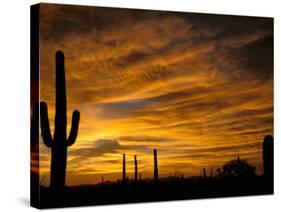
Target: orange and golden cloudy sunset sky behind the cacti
[(197, 87)]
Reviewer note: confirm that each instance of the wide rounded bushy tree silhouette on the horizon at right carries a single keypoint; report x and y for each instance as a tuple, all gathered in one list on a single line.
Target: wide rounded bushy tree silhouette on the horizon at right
[(236, 168)]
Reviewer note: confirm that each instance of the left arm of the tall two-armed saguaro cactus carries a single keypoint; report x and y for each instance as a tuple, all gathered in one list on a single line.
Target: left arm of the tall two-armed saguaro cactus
[(45, 125)]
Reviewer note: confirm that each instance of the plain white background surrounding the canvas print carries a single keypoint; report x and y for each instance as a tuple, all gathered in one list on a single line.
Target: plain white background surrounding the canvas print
[(14, 102)]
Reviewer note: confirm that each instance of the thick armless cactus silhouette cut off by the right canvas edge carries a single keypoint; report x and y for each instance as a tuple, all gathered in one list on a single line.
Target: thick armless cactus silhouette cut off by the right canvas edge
[(268, 157)]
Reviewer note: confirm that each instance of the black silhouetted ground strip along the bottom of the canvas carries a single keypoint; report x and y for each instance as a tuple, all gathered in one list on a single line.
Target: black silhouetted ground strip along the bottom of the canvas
[(166, 189)]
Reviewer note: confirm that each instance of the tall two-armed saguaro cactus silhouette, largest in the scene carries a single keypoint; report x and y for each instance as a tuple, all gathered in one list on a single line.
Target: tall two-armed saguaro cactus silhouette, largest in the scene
[(59, 142)]
